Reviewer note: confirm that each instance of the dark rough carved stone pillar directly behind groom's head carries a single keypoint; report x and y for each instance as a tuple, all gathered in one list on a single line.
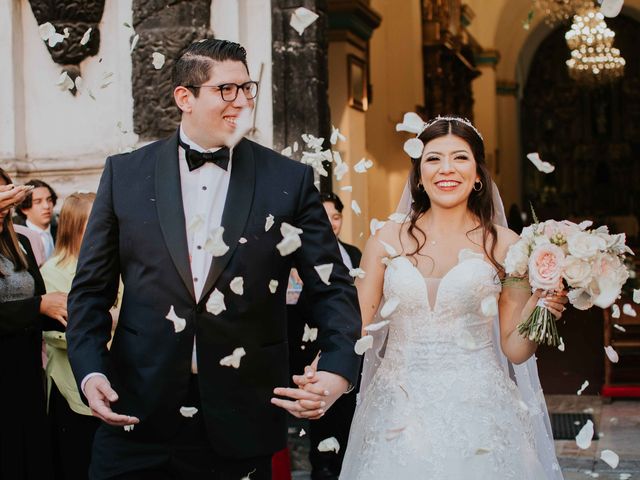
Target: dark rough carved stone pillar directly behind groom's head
[(166, 27)]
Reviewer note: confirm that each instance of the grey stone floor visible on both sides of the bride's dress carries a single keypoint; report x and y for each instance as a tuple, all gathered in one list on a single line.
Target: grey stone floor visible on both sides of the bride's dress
[(617, 427)]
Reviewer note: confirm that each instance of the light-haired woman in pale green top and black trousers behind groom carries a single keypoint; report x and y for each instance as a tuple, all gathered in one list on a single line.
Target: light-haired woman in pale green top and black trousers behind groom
[(72, 425)]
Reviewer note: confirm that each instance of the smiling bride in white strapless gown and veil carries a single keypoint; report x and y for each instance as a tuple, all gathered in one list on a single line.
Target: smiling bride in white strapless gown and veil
[(438, 399)]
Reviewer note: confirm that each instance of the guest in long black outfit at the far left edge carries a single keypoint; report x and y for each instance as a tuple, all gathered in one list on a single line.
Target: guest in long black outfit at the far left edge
[(24, 308)]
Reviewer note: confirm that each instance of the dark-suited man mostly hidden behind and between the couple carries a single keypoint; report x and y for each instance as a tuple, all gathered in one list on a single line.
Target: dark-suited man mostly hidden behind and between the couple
[(337, 421)]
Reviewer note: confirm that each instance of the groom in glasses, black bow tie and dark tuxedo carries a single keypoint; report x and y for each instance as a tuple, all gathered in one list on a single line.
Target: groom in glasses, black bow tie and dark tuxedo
[(201, 342)]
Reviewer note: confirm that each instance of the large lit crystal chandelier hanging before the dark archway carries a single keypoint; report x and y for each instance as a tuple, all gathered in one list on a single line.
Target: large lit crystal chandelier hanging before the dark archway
[(593, 58)]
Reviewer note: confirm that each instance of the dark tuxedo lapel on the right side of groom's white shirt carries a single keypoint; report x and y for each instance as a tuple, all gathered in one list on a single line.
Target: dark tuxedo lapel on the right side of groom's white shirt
[(236, 207)]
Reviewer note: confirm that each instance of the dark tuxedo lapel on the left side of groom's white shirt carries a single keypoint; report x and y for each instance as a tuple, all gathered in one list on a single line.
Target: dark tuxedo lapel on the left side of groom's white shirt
[(170, 209)]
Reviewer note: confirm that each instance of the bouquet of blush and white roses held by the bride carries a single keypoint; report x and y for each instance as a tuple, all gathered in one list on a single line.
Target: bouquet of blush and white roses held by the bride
[(559, 255)]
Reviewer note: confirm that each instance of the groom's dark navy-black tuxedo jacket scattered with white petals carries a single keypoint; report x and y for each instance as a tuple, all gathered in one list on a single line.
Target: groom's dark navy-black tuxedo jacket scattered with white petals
[(137, 230)]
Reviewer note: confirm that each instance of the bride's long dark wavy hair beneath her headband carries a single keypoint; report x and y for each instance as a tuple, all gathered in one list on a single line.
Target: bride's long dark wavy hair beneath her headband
[(480, 204)]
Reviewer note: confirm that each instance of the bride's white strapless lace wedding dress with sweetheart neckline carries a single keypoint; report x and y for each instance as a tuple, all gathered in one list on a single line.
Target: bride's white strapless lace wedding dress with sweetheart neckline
[(441, 406)]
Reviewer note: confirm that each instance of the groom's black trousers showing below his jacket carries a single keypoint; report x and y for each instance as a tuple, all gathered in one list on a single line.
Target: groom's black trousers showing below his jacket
[(188, 456)]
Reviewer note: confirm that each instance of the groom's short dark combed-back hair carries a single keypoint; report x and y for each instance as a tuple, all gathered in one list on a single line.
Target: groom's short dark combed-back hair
[(193, 65)]
